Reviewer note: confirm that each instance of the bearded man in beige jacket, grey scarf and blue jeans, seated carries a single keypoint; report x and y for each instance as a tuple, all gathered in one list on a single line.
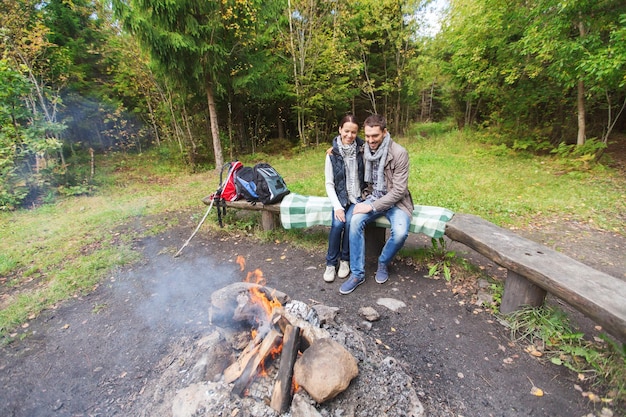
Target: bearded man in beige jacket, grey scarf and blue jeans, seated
[(387, 178)]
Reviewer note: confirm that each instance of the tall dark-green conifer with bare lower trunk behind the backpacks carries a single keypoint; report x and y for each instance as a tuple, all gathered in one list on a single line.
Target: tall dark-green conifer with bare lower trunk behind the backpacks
[(183, 37)]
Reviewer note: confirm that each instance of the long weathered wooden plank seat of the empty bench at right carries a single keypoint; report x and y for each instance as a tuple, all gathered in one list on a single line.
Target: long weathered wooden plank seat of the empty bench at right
[(600, 296)]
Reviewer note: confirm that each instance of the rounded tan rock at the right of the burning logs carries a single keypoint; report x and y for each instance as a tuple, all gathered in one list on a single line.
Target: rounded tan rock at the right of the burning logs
[(325, 369)]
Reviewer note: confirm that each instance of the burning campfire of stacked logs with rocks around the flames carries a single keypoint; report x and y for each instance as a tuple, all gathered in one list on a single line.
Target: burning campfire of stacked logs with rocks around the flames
[(284, 345)]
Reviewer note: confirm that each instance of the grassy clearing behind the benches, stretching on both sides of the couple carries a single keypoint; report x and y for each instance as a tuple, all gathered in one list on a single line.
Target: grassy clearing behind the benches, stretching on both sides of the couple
[(56, 251)]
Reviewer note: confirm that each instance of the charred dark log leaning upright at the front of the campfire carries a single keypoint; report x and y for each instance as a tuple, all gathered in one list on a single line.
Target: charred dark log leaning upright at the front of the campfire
[(281, 395)]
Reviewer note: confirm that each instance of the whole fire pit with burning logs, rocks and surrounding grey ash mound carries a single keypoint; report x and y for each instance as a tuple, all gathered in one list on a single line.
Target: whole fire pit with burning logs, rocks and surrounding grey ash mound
[(269, 356)]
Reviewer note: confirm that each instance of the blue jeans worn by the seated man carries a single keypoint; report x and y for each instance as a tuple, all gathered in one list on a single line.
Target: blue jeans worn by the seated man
[(400, 222)]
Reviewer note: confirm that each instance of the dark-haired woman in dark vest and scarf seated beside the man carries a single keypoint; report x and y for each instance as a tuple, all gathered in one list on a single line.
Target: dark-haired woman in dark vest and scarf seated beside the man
[(345, 173)]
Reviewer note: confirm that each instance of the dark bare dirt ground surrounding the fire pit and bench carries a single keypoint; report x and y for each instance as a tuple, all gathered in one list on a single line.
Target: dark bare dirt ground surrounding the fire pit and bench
[(95, 355)]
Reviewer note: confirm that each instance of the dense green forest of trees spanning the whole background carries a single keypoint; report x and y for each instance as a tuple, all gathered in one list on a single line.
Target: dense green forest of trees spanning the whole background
[(201, 82)]
